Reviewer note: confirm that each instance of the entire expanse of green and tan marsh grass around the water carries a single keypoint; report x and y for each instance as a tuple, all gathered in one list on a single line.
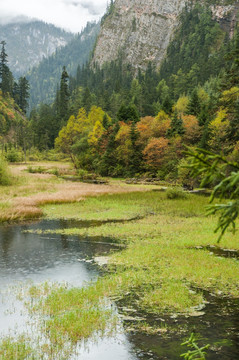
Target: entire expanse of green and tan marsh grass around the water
[(162, 268)]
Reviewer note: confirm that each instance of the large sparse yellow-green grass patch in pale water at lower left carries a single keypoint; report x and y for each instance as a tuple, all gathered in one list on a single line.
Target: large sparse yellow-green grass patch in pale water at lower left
[(75, 314)]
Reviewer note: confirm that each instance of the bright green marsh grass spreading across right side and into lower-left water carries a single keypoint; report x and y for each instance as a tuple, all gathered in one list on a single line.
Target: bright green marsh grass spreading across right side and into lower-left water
[(159, 272)]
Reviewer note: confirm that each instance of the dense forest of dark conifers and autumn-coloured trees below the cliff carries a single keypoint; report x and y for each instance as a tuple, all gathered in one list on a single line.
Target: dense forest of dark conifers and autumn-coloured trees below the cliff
[(110, 121)]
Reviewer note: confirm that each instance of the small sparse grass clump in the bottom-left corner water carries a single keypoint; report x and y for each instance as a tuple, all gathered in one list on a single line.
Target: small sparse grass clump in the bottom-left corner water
[(16, 349)]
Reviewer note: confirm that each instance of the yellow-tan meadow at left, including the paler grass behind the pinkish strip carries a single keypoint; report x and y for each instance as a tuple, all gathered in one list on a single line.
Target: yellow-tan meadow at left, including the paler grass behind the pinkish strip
[(33, 186)]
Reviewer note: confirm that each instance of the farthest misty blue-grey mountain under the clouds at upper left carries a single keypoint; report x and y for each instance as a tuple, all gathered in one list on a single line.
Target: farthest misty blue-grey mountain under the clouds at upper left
[(27, 43)]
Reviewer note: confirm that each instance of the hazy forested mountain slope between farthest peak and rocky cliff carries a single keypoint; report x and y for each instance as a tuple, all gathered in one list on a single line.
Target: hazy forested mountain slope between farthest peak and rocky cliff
[(45, 77)]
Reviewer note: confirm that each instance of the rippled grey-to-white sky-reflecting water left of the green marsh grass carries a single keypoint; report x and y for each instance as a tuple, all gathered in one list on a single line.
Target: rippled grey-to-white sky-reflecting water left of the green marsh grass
[(28, 257)]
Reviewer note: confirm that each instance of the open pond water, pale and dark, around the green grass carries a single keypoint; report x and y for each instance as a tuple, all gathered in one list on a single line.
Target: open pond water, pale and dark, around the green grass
[(27, 257)]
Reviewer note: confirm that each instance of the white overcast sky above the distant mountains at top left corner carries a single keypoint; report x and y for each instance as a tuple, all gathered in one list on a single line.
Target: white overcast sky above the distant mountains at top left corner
[(69, 14)]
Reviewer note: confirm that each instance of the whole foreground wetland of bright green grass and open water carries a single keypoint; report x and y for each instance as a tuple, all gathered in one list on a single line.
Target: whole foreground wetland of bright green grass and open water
[(159, 280)]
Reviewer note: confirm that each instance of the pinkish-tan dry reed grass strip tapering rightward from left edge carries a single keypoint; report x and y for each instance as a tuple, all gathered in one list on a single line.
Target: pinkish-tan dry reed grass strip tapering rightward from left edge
[(35, 190)]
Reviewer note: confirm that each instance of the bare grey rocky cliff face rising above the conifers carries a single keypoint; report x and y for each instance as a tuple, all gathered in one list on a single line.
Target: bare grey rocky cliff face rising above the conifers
[(140, 30)]
